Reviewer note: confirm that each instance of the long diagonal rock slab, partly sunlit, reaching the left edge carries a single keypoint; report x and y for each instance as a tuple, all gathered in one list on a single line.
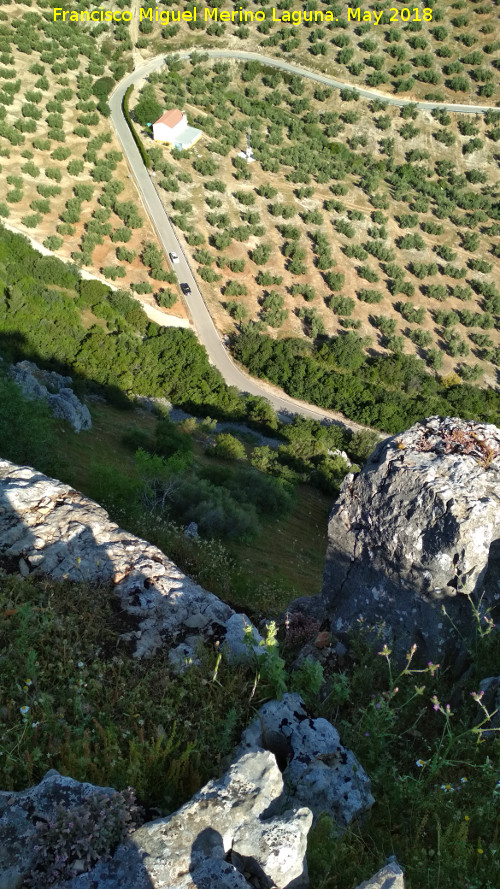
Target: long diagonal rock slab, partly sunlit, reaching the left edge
[(46, 527)]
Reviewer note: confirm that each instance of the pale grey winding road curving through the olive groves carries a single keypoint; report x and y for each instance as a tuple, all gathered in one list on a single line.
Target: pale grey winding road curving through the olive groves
[(205, 327)]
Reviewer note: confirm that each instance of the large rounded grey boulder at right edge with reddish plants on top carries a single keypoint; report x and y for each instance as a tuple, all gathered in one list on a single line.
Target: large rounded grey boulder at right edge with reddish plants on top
[(418, 527)]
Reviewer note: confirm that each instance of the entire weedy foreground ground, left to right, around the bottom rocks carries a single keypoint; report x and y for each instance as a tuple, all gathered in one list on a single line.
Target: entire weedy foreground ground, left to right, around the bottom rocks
[(73, 699)]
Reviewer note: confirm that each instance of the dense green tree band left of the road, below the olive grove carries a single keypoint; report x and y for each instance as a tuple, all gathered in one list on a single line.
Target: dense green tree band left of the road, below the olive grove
[(41, 300)]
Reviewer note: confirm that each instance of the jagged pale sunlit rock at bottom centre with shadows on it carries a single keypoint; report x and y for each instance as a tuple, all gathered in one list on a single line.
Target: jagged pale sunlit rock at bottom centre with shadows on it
[(217, 840)]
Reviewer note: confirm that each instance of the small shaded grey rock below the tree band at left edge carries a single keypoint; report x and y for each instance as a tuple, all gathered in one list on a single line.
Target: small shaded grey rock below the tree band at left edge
[(53, 388)]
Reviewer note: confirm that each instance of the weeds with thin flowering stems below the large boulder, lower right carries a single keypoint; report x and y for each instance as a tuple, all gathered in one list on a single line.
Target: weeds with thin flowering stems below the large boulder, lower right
[(434, 775)]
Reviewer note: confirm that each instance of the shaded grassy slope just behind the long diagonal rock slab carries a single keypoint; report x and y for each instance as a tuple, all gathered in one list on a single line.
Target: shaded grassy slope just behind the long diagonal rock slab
[(263, 578)]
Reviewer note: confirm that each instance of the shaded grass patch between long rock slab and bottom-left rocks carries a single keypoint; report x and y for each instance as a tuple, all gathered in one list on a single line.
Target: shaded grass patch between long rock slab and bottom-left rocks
[(99, 715)]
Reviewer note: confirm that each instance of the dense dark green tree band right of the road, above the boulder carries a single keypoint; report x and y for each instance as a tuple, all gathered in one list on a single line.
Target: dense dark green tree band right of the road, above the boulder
[(388, 392)]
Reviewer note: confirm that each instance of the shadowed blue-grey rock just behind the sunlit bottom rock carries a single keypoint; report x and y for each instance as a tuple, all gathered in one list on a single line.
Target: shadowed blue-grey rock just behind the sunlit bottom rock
[(320, 773)]
